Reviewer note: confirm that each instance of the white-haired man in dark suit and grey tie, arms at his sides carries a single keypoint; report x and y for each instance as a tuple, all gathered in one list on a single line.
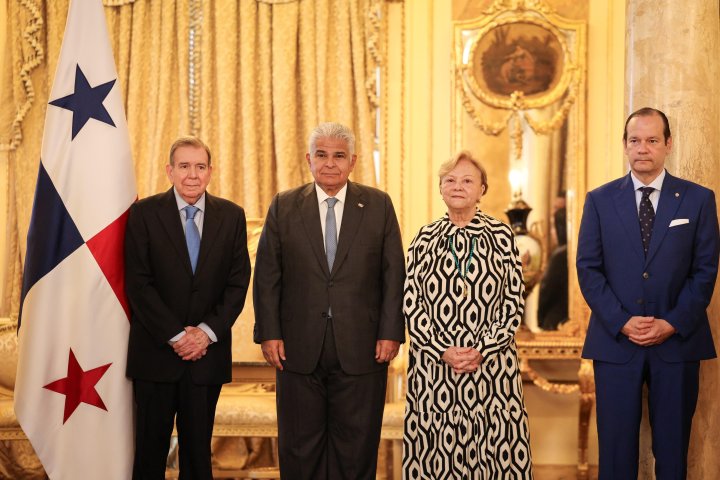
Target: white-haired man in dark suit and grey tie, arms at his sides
[(328, 288)]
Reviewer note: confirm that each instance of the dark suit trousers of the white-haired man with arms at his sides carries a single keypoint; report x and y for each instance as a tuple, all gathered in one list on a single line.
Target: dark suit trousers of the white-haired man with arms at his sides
[(328, 421)]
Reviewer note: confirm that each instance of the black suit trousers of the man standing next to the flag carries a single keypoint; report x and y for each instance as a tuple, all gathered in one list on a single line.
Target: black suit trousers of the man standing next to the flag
[(156, 405)]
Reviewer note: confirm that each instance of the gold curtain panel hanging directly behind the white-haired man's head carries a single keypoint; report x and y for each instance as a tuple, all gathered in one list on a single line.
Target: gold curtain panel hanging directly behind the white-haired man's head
[(269, 72)]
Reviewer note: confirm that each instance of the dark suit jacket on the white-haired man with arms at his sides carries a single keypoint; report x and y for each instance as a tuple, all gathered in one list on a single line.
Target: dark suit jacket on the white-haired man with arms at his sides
[(293, 287)]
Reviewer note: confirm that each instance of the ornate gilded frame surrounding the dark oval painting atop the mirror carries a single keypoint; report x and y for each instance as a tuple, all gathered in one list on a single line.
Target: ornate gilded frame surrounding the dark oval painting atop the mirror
[(483, 106)]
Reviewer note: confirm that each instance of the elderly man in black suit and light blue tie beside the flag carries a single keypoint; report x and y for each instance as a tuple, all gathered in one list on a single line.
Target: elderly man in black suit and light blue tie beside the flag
[(187, 273)]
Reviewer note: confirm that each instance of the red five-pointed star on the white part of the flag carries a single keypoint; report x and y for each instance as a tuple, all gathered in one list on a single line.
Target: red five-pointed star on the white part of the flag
[(79, 386)]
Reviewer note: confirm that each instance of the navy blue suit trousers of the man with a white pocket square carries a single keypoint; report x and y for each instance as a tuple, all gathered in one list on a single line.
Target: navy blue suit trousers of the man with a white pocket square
[(672, 396)]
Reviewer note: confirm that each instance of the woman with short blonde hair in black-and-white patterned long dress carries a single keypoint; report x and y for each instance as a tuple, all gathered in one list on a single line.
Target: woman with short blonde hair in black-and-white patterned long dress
[(465, 416)]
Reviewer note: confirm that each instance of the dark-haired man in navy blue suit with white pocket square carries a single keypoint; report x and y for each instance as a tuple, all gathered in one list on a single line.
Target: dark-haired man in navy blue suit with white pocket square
[(647, 260)]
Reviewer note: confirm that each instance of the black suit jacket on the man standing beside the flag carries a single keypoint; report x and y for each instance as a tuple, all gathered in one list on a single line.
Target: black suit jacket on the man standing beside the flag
[(165, 296)]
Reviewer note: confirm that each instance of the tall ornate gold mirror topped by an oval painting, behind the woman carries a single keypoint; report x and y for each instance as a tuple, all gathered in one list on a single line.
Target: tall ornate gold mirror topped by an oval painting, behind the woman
[(519, 84)]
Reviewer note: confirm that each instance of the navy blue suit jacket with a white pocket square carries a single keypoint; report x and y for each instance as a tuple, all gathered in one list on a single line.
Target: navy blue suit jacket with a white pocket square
[(675, 282)]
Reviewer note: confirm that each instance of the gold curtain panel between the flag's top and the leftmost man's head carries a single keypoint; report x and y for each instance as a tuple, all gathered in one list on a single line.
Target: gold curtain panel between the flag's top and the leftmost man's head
[(150, 45)]
